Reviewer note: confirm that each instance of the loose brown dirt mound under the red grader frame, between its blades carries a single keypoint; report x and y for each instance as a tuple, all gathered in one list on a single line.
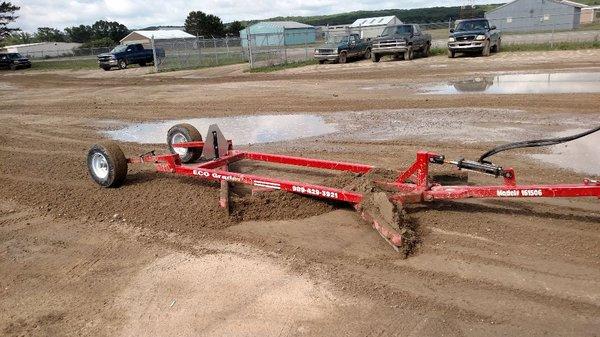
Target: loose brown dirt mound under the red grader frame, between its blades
[(277, 205)]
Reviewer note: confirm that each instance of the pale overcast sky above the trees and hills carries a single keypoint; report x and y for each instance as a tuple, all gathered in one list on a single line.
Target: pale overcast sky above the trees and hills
[(143, 13)]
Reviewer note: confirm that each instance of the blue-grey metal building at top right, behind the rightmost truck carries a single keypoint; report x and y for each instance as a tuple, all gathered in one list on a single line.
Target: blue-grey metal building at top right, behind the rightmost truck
[(536, 15)]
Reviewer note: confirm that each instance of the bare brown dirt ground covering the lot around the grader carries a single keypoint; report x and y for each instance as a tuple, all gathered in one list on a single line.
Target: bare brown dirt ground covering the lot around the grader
[(158, 257)]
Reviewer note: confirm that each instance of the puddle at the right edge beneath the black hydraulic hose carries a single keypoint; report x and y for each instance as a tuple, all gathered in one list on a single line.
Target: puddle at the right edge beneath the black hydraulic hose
[(581, 155)]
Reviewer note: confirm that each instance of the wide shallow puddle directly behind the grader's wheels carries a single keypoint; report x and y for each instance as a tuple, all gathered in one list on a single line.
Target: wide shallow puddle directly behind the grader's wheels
[(246, 129)]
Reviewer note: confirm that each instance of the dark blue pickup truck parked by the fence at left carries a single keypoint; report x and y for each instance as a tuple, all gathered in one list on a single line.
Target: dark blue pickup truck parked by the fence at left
[(124, 55)]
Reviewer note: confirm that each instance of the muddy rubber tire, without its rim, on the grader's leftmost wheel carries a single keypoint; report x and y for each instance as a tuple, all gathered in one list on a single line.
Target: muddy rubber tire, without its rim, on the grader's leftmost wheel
[(117, 164)]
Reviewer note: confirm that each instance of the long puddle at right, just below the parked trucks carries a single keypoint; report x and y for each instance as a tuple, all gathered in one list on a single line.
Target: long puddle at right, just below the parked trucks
[(523, 84)]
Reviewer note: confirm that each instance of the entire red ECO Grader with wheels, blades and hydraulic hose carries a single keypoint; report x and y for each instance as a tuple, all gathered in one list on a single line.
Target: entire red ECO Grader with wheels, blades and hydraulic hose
[(381, 204)]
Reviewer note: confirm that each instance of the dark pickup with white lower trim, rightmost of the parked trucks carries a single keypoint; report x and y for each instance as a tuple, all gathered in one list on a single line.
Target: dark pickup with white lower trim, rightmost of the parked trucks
[(474, 36)]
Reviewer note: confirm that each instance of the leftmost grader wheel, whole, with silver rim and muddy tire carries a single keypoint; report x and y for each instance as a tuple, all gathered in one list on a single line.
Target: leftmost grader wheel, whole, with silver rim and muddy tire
[(107, 164)]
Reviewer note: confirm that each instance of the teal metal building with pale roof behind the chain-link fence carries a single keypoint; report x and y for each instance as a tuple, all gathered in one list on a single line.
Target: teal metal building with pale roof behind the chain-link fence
[(278, 33)]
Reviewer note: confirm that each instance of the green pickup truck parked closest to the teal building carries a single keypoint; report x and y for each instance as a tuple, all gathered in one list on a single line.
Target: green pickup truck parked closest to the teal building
[(341, 48)]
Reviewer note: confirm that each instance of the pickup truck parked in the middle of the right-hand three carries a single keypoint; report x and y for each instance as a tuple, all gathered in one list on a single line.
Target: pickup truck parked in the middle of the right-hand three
[(401, 41)]
